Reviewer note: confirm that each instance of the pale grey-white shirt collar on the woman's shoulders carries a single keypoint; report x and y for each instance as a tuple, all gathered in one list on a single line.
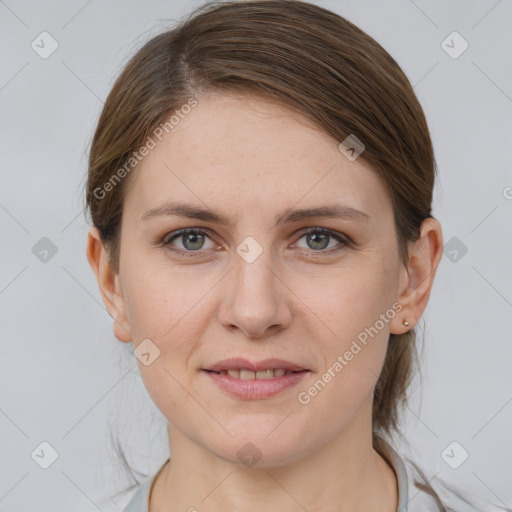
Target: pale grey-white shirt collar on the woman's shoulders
[(415, 492)]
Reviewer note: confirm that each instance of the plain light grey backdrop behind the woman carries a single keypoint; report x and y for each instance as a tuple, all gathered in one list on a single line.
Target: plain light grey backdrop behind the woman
[(66, 380)]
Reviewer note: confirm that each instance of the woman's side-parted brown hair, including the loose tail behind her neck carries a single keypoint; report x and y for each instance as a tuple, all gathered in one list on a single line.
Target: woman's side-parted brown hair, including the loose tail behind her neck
[(309, 59)]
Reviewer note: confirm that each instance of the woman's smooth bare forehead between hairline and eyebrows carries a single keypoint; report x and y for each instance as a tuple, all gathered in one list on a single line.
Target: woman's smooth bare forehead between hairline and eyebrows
[(233, 153)]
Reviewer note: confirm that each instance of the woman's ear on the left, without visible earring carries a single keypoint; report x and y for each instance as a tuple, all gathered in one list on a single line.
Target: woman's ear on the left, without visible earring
[(109, 285)]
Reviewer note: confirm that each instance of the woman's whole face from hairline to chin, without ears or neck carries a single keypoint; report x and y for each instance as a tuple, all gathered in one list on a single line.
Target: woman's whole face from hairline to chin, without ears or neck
[(258, 286)]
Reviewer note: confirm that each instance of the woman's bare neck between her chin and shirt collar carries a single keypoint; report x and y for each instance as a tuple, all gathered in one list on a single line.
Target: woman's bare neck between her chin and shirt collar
[(346, 474)]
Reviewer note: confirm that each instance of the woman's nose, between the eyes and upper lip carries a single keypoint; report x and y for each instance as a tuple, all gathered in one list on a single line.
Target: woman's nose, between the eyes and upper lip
[(255, 299)]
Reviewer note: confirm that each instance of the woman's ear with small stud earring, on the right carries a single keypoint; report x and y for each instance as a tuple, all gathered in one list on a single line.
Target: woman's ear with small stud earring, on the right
[(417, 277)]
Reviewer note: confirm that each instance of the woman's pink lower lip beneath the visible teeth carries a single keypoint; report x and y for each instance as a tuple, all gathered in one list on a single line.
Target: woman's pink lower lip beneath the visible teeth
[(256, 388)]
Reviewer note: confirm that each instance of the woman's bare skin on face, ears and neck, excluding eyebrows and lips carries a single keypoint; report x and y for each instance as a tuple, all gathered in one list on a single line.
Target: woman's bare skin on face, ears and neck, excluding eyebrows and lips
[(249, 161)]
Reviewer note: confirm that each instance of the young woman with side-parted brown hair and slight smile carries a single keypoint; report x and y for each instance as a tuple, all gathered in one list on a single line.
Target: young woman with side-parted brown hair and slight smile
[(260, 187)]
